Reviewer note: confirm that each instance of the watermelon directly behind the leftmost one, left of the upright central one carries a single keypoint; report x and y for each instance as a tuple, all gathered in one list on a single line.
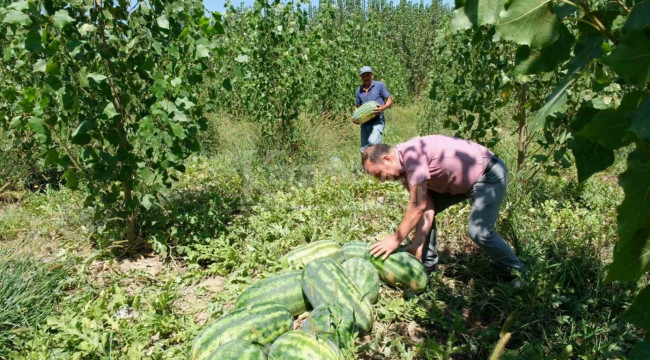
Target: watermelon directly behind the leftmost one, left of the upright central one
[(284, 289)]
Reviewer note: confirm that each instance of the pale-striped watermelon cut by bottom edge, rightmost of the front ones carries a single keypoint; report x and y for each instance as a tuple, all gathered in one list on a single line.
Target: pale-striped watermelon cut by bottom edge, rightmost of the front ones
[(301, 345)]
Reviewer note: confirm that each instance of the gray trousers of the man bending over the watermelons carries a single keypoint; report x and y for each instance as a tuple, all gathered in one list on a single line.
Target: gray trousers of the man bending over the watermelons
[(486, 196)]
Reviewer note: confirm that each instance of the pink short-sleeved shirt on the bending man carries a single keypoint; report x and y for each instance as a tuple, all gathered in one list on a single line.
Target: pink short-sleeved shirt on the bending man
[(447, 164)]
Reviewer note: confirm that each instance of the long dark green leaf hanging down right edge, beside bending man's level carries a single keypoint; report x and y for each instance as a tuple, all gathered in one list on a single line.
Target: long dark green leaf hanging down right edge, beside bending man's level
[(632, 251)]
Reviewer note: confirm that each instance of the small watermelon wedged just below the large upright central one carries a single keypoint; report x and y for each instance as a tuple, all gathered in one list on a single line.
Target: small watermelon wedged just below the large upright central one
[(333, 322)]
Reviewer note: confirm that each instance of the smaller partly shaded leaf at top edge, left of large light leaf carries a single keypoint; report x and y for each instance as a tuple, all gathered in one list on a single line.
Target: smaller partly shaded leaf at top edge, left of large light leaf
[(476, 13)]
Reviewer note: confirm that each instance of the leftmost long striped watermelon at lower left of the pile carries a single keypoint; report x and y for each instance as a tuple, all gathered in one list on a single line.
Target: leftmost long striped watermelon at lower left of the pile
[(258, 323)]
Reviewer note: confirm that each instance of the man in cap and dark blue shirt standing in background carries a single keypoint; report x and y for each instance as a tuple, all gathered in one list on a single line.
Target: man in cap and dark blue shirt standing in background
[(371, 90)]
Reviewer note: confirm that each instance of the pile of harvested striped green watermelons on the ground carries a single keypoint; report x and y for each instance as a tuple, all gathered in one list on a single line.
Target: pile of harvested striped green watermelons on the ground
[(337, 285)]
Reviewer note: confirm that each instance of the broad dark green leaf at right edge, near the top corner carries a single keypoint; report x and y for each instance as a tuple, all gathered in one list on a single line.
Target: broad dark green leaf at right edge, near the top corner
[(631, 58)]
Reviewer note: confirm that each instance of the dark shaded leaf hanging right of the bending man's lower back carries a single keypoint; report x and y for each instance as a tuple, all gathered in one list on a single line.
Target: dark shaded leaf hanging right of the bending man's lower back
[(591, 157)]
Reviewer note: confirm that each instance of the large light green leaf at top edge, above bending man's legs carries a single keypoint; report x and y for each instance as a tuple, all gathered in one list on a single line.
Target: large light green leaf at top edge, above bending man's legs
[(529, 22)]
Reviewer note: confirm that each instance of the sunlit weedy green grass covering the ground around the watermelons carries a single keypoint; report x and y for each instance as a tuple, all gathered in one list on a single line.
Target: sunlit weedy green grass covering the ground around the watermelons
[(238, 209)]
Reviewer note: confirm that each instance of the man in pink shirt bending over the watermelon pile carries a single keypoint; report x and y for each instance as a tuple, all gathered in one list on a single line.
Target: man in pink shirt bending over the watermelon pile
[(440, 171)]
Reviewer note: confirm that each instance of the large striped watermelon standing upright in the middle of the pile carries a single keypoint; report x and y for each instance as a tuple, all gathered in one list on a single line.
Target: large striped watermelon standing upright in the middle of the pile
[(324, 281)]
